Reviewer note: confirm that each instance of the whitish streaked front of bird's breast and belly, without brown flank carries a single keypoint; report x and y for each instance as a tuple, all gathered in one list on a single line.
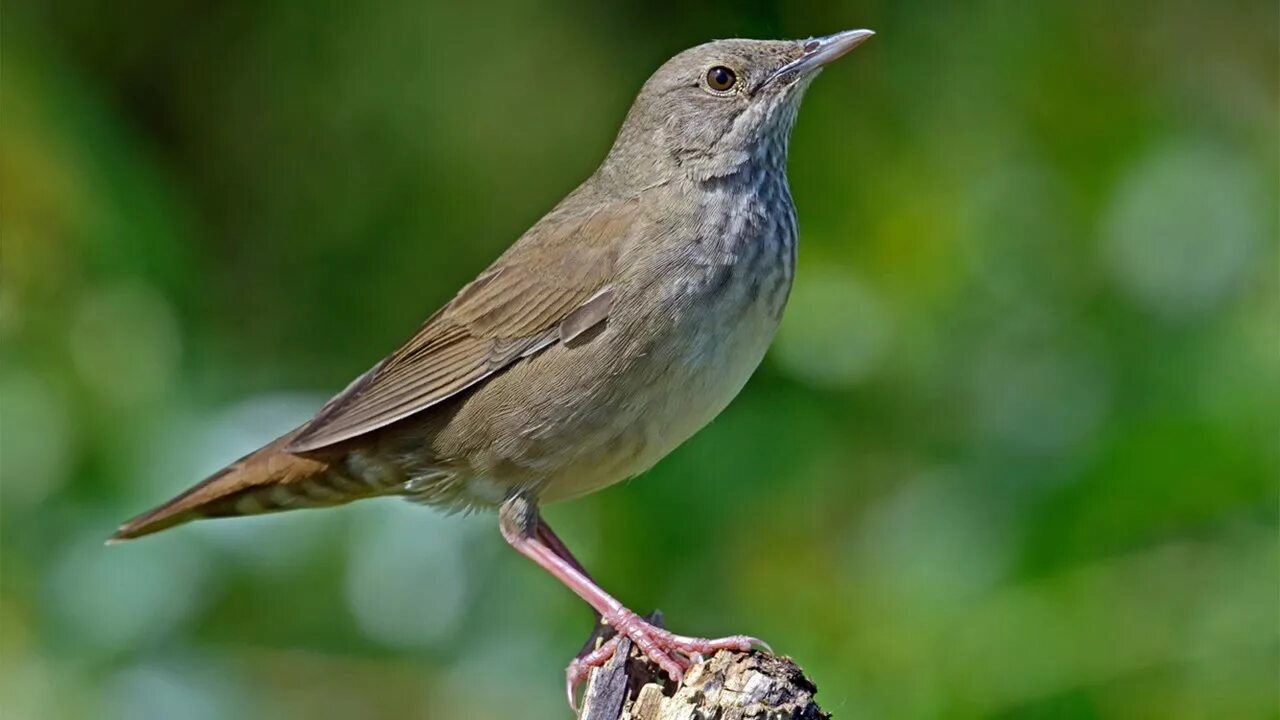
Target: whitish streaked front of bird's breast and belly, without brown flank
[(719, 320)]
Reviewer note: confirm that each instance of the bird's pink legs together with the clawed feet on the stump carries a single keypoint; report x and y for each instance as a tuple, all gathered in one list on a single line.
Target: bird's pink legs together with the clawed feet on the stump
[(520, 525)]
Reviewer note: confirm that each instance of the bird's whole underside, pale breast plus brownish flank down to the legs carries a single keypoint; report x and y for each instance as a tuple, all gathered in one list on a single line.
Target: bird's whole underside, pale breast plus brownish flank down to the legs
[(685, 338)]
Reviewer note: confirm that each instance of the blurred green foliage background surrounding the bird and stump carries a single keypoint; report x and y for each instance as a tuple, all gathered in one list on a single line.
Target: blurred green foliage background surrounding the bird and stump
[(1013, 455)]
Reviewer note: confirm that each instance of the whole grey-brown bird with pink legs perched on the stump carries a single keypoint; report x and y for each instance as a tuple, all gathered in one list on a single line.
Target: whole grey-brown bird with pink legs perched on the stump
[(607, 335)]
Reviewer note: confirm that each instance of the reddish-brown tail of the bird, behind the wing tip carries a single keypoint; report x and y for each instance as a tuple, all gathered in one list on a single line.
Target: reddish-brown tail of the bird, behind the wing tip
[(266, 481)]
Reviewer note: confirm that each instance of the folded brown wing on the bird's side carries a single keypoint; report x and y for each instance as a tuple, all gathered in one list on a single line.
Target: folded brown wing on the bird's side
[(550, 288)]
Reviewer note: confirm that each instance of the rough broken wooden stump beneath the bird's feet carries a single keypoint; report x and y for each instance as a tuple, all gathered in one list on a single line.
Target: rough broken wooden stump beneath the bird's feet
[(728, 686)]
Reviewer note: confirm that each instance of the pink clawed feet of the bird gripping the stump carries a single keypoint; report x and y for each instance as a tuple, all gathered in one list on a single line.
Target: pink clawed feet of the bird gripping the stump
[(671, 653)]
